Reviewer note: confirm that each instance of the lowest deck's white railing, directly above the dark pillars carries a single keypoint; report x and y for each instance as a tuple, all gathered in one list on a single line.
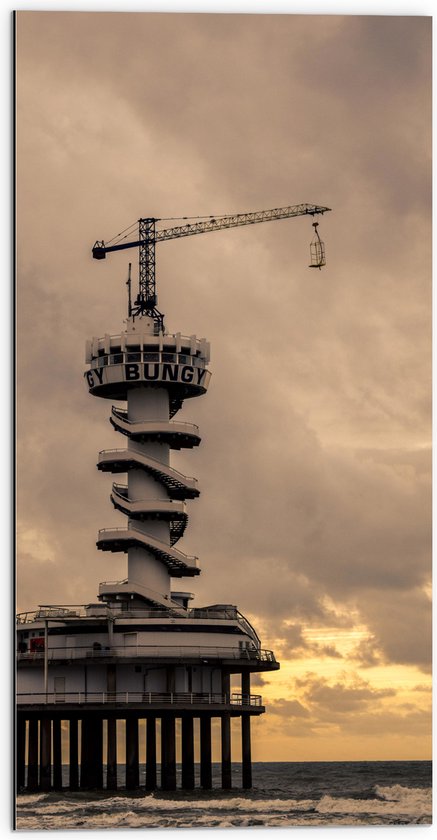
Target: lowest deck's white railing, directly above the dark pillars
[(147, 698)]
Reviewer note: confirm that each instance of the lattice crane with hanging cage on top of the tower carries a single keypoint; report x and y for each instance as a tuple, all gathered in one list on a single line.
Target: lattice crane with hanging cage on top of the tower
[(149, 236)]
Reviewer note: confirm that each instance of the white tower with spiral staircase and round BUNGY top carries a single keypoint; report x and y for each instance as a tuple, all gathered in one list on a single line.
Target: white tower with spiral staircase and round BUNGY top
[(153, 373)]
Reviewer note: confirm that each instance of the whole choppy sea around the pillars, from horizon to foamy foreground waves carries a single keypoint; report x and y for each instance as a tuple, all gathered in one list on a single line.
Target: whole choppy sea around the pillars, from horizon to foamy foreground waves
[(357, 793)]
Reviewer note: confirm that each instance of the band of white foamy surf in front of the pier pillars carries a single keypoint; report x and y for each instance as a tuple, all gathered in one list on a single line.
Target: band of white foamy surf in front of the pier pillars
[(389, 804)]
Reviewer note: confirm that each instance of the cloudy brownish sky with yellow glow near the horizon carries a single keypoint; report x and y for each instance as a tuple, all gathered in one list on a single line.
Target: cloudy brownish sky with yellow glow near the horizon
[(314, 467)]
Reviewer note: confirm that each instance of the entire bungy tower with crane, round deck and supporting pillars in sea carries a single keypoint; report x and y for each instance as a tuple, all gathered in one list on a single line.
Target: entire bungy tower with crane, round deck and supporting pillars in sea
[(141, 673)]
